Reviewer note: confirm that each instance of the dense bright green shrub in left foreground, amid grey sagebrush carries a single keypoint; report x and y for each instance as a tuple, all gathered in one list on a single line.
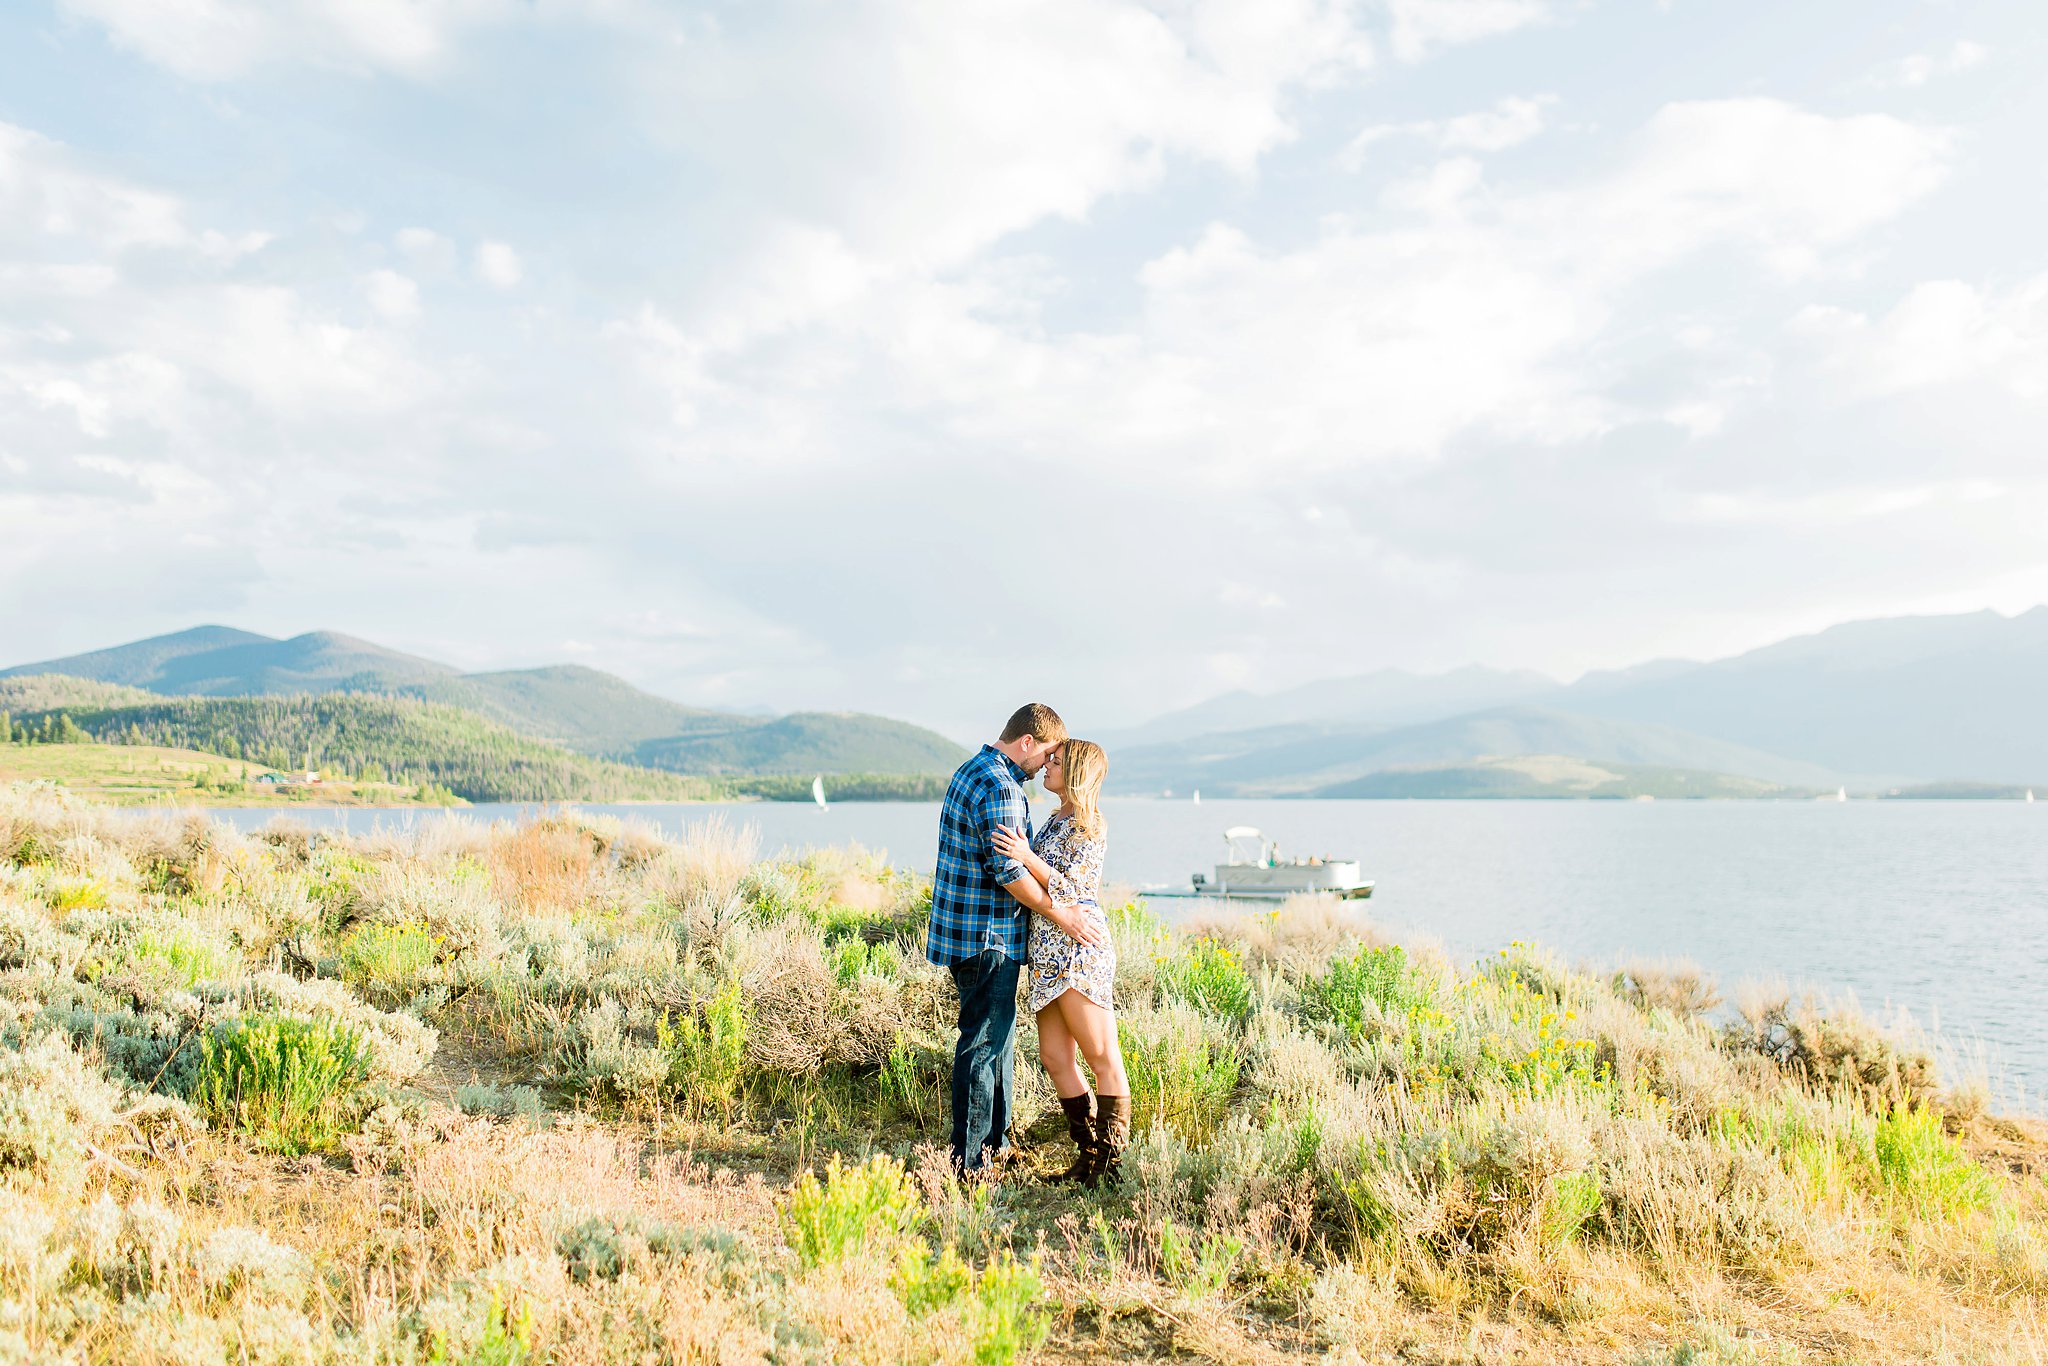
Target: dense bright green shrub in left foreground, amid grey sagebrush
[(282, 1080)]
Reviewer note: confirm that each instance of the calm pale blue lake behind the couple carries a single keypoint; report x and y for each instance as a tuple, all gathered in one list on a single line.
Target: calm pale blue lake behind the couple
[(1936, 908)]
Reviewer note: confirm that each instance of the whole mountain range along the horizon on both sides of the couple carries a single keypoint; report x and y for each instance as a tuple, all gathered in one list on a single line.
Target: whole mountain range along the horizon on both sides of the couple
[(1908, 703)]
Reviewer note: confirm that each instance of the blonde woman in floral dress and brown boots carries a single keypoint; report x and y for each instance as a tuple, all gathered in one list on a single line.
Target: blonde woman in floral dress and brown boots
[(1074, 964)]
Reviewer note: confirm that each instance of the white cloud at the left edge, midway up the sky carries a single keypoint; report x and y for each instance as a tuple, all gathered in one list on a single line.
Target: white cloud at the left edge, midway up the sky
[(148, 339)]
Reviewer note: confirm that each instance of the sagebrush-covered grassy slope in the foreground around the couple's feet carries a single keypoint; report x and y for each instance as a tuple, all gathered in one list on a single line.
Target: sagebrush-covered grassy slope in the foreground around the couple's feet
[(579, 1093)]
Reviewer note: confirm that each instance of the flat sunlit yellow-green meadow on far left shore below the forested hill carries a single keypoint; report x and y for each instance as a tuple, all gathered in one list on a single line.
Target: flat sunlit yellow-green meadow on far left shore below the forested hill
[(146, 775)]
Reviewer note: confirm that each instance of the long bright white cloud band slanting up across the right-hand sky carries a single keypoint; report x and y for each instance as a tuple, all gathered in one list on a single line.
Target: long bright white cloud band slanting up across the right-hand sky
[(1457, 310)]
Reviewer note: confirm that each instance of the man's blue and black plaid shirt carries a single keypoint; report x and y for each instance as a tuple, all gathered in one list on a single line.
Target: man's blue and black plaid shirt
[(970, 908)]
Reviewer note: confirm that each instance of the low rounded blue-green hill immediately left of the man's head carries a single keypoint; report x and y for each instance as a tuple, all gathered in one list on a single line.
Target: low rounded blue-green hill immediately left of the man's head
[(804, 744)]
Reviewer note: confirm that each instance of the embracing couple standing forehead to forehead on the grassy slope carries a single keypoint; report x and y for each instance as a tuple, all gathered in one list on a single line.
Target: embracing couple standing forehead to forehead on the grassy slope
[(1011, 904)]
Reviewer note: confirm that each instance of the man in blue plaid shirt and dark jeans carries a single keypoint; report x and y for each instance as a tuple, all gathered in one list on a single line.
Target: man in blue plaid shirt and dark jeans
[(982, 910)]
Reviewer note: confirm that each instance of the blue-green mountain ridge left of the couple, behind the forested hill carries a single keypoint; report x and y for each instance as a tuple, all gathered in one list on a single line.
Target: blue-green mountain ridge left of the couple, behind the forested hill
[(570, 706)]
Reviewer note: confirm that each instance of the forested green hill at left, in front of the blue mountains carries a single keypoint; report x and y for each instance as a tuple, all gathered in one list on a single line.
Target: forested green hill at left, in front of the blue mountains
[(376, 738)]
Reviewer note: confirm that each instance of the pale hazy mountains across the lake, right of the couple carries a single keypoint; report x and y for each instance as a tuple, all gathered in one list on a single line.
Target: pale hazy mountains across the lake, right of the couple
[(1871, 706)]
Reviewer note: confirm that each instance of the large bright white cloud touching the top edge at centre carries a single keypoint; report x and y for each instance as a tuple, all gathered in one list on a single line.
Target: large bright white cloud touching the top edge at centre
[(992, 120)]
